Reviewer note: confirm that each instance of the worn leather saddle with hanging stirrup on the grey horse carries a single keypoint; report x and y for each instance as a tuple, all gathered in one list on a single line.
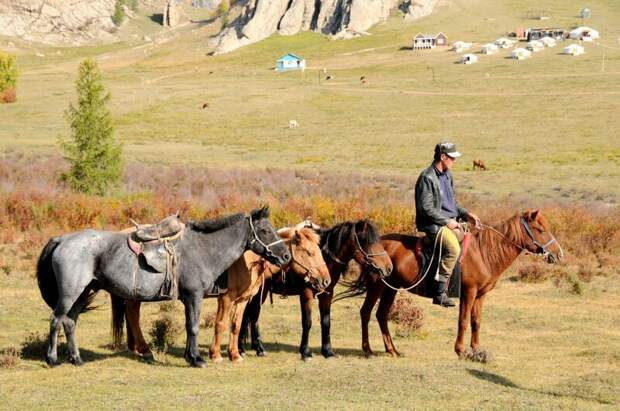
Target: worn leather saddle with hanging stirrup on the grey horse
[(154, 245)]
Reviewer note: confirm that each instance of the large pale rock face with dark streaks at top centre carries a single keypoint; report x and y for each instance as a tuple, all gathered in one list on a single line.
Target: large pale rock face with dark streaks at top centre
[(339, 18)]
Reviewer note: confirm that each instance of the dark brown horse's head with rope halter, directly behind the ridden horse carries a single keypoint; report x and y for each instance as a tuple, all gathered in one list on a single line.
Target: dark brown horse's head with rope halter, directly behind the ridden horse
[(367, 250)]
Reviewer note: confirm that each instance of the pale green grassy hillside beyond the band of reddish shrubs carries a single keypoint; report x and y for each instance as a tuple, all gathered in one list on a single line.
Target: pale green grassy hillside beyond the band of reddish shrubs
[(543, 124)]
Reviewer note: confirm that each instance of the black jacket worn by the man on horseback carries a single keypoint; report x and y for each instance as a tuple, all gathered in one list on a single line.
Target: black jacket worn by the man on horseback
[(428, 216)]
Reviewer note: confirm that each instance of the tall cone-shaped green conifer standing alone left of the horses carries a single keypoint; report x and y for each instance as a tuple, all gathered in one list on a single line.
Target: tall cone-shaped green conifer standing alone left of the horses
[(93, 153)]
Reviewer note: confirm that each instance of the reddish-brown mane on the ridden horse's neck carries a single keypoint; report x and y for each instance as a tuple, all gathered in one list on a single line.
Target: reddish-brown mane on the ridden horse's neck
[(493, 246)]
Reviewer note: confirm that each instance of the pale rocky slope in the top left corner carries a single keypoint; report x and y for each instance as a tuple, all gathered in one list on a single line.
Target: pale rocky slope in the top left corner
[(71, 22)]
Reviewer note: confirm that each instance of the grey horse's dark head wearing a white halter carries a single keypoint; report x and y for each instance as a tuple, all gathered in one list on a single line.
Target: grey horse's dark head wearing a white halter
[(264, 240)]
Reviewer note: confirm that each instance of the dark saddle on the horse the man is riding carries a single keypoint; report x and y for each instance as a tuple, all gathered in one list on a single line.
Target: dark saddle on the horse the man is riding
[(423, 251)]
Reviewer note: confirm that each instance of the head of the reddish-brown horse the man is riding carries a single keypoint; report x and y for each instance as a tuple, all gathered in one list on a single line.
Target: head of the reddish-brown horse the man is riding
[(538, 238)]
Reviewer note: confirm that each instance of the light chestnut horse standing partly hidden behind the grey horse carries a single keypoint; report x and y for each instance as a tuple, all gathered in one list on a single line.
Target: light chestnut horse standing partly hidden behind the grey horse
[(245, 277)]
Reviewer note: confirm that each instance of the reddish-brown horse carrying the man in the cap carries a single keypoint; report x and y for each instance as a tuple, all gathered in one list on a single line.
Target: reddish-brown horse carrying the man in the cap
[(490, 252)]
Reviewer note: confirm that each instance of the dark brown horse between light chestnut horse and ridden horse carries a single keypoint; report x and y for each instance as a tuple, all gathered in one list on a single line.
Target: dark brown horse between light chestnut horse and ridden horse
[(347, 241)]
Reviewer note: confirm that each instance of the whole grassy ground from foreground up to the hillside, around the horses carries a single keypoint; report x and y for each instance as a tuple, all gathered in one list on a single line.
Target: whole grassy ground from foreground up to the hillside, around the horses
[(546, 127)]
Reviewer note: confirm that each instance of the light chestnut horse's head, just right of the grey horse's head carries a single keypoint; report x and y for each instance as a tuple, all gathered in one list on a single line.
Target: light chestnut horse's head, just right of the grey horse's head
[(306, 258)]
